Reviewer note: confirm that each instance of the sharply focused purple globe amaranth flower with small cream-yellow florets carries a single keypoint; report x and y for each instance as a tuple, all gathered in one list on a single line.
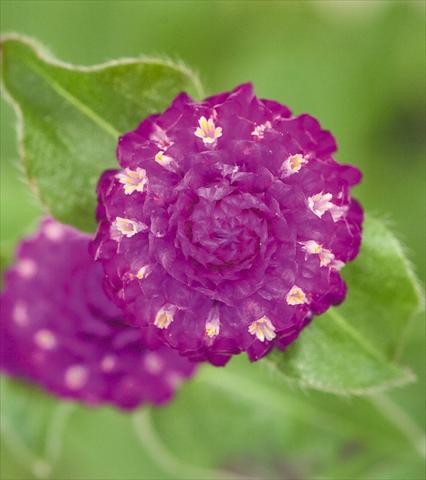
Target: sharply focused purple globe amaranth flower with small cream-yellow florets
[(227, 225)]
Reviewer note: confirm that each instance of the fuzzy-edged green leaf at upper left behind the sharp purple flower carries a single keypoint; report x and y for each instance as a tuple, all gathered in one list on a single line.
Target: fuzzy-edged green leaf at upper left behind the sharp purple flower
[(70, 118)]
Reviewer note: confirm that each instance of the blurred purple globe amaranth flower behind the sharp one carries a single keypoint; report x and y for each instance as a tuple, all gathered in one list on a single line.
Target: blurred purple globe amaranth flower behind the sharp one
[(58, 328)]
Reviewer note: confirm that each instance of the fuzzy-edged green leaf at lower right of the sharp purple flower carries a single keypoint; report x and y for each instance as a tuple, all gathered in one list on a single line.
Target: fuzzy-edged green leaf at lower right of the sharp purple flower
[(352, 349)]
